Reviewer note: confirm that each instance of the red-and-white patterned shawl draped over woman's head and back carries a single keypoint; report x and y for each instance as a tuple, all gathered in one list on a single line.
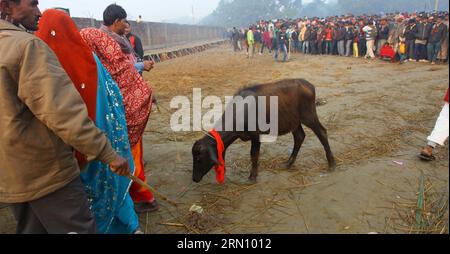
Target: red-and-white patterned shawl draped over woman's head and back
[(135, 91)]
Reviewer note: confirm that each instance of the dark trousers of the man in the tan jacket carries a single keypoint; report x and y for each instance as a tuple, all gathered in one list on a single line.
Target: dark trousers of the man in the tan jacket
[(62, 212)]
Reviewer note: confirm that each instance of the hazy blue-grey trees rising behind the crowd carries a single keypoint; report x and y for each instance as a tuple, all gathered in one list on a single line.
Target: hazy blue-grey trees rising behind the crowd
[(241, 13)]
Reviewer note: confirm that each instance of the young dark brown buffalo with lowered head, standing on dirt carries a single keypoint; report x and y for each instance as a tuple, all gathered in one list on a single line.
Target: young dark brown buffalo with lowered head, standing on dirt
[(296, 106)]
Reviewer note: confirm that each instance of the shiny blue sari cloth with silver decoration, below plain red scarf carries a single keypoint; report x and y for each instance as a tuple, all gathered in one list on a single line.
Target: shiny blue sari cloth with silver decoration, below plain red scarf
[(109, 191)]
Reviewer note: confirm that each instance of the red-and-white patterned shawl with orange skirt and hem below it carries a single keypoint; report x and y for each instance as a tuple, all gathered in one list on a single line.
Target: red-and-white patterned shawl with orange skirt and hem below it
[(136, 94)]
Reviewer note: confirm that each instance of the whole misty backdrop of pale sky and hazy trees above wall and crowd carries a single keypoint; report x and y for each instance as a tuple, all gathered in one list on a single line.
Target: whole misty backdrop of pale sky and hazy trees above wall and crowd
[(241, 13)]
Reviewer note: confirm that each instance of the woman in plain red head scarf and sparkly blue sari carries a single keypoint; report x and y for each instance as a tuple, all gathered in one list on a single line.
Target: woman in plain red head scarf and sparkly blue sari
[(108, 193)]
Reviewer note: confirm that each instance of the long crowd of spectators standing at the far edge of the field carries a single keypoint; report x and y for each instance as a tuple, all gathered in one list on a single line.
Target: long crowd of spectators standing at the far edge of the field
[(405, 37)]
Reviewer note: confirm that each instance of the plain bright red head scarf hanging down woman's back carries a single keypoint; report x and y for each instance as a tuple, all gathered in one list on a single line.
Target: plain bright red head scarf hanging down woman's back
[(61, 34)]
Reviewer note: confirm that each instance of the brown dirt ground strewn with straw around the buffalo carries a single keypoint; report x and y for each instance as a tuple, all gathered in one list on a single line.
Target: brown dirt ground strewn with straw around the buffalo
[(378, 116)]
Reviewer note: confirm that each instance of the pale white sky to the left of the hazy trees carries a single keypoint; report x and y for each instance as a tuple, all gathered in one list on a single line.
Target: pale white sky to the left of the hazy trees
[(151, 10)]
